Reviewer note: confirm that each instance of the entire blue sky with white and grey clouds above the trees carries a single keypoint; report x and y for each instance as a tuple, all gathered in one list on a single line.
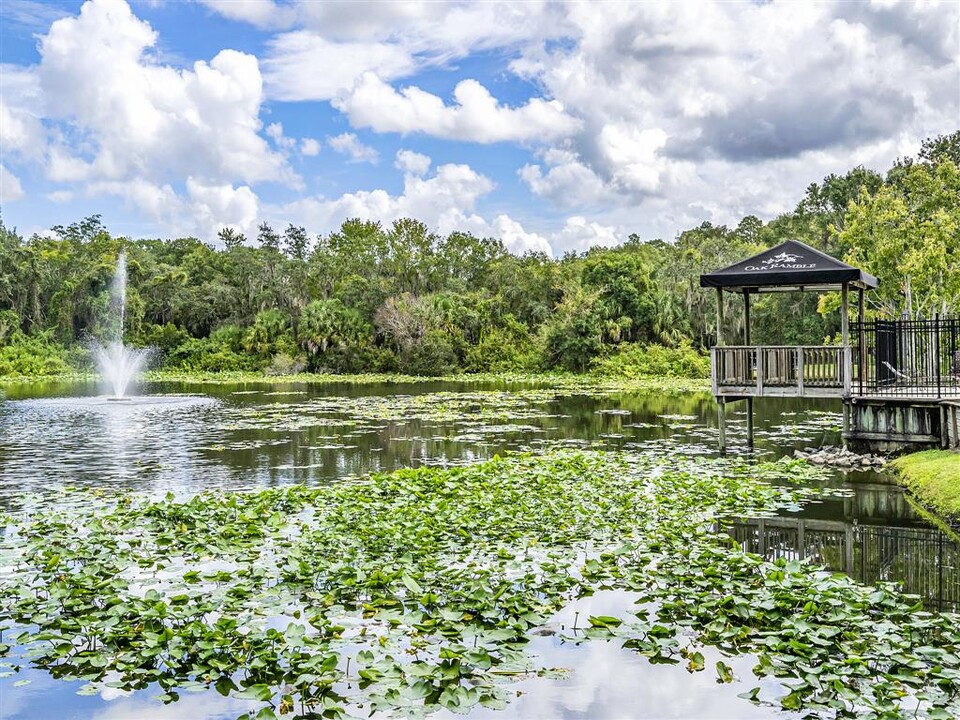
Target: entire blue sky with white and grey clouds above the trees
[(554, 126)]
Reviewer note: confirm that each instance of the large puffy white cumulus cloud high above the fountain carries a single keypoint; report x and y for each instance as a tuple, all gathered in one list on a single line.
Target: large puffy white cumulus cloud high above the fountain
[(144, 120)]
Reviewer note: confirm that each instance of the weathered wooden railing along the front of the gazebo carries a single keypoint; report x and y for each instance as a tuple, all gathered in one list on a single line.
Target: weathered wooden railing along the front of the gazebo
[(756, 370)]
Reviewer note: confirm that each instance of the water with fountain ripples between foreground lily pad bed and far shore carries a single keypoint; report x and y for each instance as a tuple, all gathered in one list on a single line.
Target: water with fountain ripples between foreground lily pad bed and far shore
[(185, 437)]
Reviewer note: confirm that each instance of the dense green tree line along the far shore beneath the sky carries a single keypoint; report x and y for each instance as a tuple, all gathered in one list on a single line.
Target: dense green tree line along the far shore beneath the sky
[(368, 298)]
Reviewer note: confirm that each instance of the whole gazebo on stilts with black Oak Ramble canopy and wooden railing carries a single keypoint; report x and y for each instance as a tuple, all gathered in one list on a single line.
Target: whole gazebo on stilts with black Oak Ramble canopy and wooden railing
[(743, 372)]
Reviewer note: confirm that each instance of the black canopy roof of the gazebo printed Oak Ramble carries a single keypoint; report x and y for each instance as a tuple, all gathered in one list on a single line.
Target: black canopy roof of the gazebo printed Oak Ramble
[(790, 265)]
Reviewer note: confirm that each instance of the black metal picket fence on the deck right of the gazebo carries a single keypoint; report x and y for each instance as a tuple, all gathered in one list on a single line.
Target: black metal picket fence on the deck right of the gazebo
[(910, 358)]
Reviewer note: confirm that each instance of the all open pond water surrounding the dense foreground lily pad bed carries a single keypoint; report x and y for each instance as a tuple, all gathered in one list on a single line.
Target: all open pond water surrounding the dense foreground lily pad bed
[(182, 438)]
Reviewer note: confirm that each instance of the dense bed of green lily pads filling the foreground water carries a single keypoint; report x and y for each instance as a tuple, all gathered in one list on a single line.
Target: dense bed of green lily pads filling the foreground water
[(419, 589)]
